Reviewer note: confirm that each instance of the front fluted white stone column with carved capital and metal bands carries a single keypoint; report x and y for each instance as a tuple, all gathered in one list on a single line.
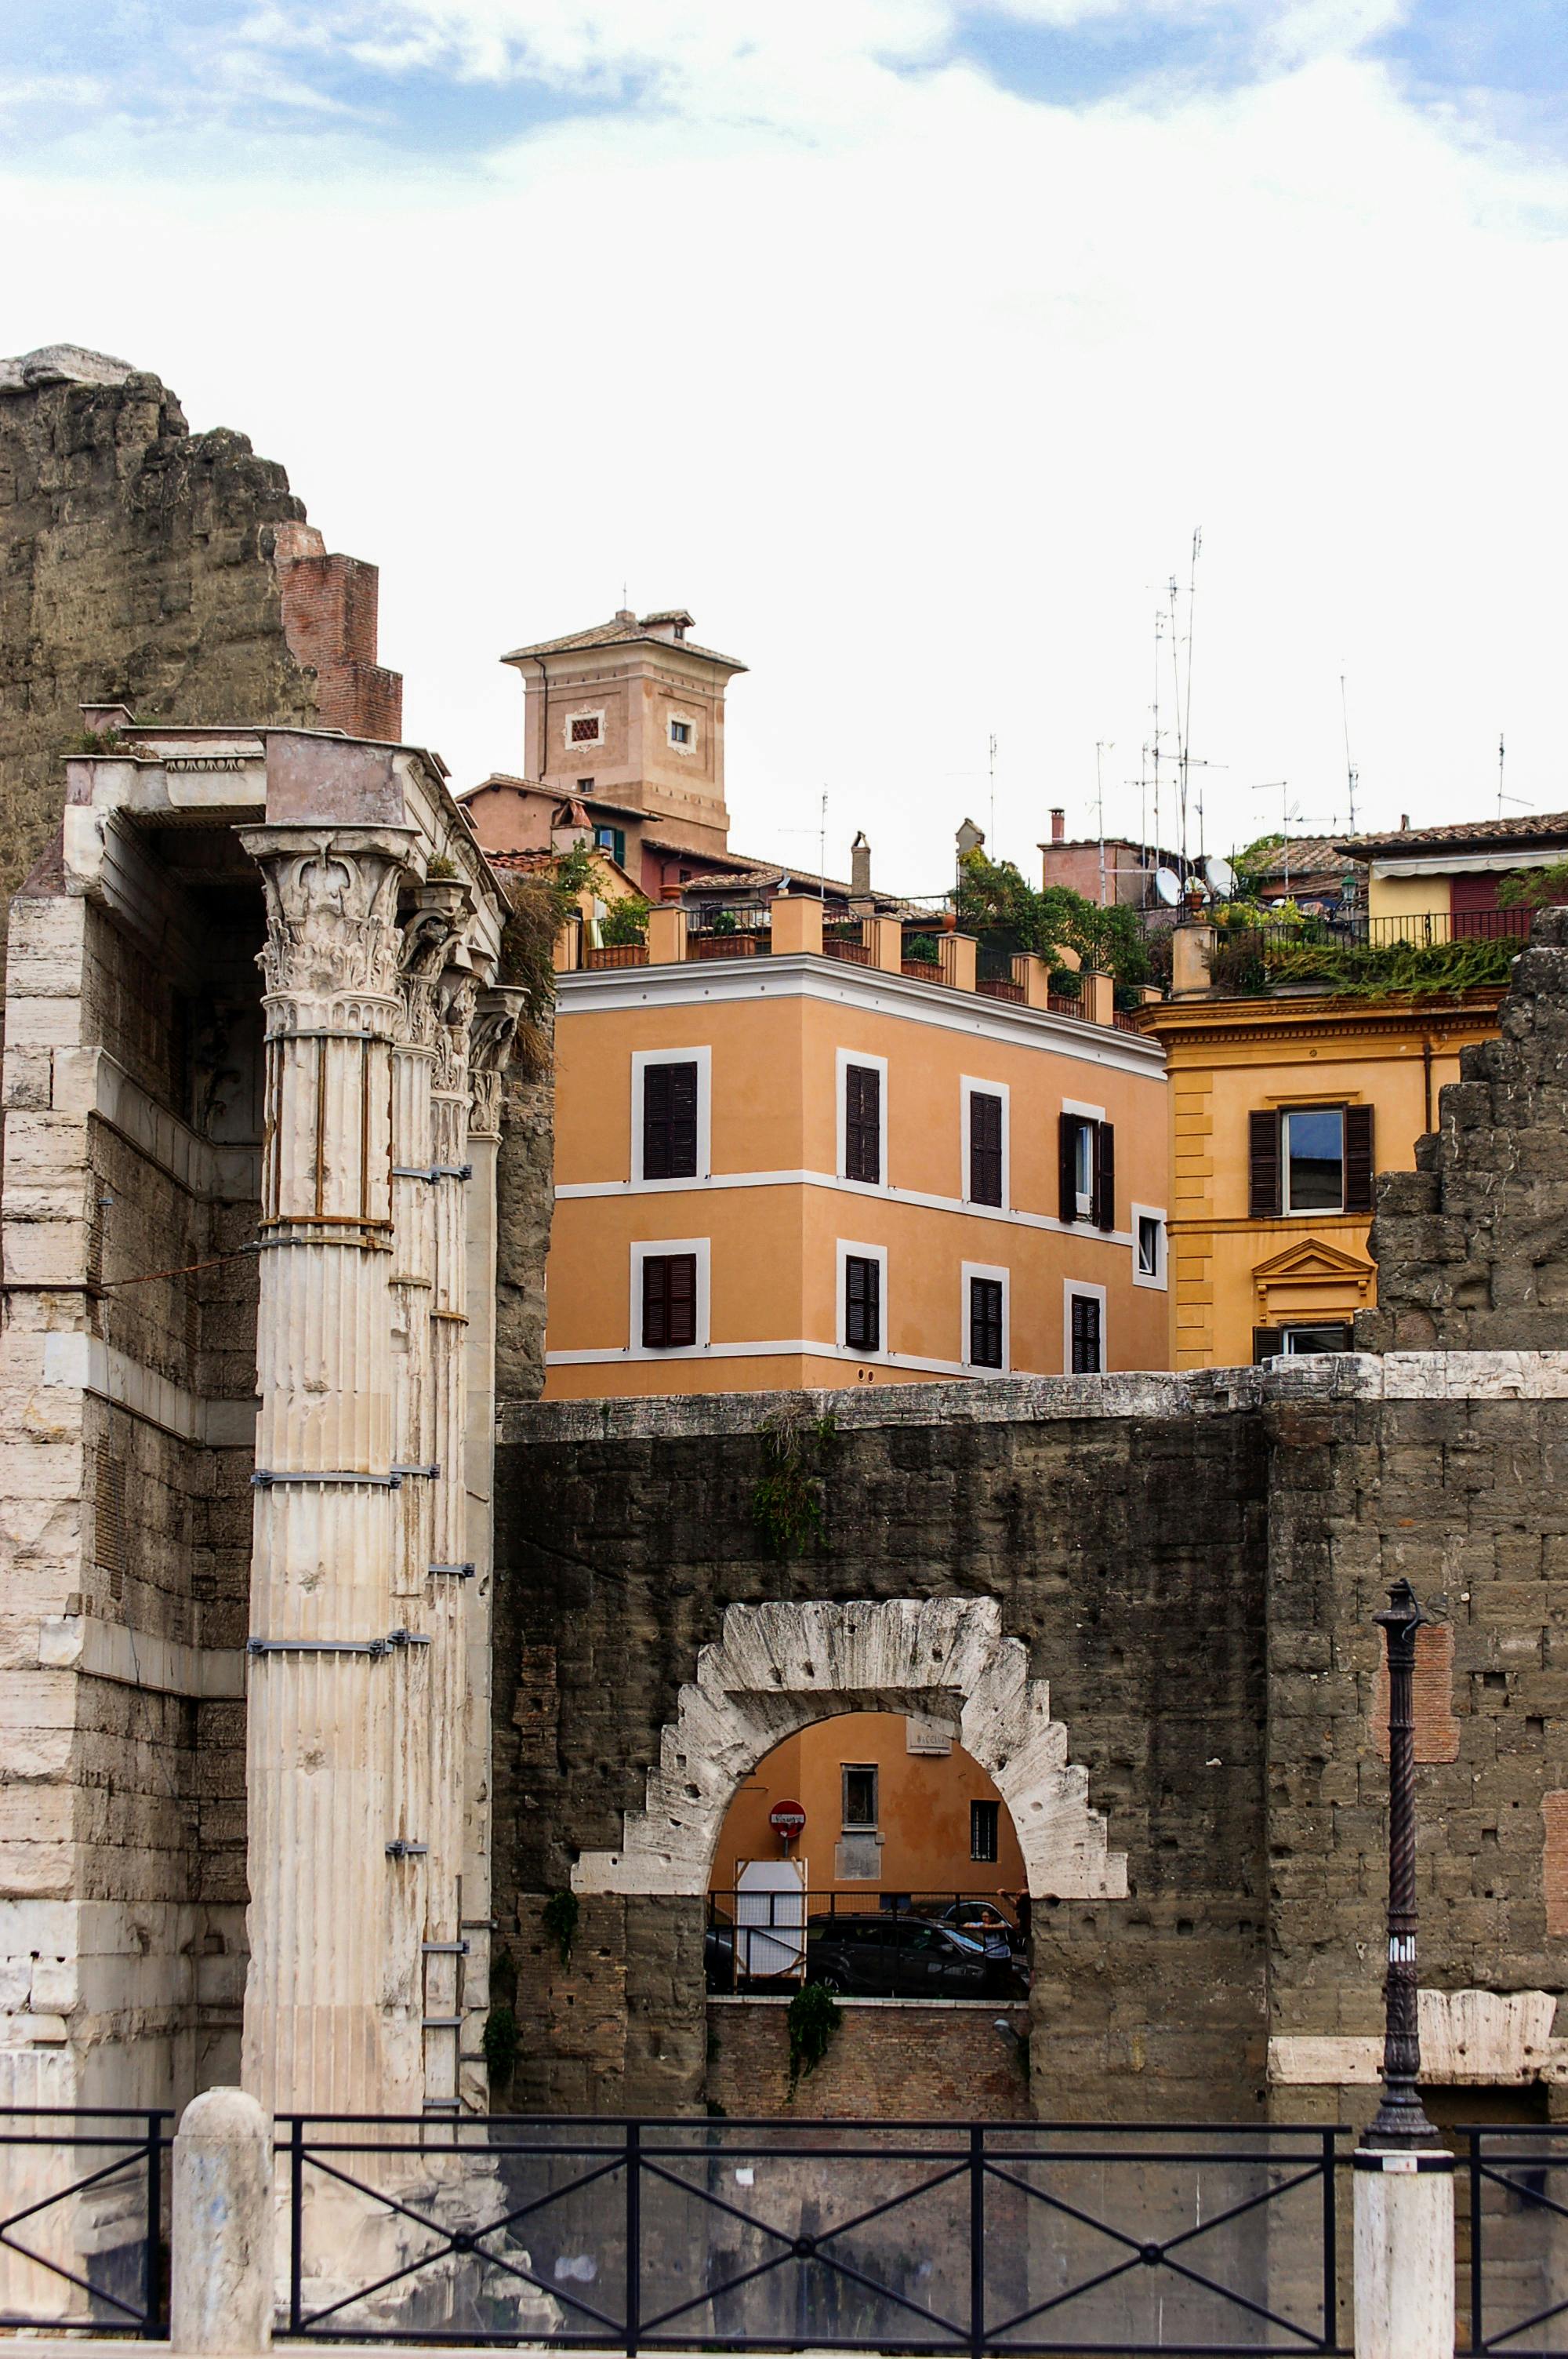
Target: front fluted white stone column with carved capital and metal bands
[(331, 2013)]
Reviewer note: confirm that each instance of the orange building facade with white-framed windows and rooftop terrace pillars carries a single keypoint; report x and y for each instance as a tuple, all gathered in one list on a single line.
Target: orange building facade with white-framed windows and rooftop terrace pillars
[(789, 1157)]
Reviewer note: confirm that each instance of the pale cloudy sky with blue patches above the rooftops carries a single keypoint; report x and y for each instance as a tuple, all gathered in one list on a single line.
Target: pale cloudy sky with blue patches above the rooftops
[(914, 346)]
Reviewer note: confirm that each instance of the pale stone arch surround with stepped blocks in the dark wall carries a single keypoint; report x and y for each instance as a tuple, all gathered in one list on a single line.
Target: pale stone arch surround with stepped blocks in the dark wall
[(782, 1667)]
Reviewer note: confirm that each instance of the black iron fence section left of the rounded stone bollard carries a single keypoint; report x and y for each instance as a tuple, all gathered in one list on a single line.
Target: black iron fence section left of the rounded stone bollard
[(84, 2204)]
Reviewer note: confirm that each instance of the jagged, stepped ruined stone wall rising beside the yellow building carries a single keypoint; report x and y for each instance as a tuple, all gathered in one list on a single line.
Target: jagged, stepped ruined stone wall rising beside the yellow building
[(1473, 1247)]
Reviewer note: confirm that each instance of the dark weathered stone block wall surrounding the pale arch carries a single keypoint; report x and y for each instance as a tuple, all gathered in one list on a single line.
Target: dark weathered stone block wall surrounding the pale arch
[(1194, 1568)]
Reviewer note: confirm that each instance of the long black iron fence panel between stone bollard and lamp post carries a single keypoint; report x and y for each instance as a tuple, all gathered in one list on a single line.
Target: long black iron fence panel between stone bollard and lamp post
[(763, 2235)]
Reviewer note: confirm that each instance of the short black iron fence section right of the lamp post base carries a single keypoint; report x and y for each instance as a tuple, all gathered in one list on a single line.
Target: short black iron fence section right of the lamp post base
[(1517, 2263)]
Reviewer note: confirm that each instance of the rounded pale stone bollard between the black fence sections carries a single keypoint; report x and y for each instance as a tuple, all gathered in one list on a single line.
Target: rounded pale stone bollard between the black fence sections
[(223, 2228)]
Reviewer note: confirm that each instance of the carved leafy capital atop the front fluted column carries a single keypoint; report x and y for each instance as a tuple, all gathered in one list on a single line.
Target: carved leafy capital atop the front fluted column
[(331, 957)]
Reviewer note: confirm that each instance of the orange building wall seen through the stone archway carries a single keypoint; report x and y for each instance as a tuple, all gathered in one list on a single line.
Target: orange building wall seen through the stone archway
[(892, 1806)]
